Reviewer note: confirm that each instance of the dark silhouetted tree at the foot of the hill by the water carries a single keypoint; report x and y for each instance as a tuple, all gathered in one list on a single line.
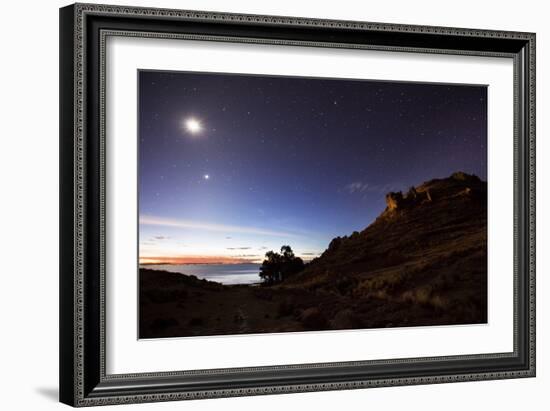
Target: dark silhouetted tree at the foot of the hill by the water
[(278, 267)]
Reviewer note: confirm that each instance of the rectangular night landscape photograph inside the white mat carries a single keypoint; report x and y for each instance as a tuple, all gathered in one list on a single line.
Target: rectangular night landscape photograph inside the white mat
[(271, 204)]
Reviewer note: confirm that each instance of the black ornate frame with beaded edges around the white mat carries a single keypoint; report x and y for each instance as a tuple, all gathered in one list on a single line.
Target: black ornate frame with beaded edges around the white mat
[(83, 29)]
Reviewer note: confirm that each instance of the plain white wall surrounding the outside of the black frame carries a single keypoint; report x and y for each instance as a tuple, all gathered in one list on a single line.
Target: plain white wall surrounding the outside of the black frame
[(29, 204)]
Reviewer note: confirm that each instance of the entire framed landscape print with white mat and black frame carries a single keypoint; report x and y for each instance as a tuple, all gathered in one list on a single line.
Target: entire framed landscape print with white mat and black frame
[(261, 204)]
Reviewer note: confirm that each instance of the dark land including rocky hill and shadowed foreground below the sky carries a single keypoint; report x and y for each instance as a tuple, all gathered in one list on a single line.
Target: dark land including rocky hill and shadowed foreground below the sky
[(423, 261)]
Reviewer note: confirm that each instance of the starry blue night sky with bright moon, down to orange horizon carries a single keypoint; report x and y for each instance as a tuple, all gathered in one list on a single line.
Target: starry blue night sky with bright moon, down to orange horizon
[(231, 166)]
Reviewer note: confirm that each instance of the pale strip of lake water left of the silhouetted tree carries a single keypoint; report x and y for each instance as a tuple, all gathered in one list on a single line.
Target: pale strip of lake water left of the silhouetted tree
[(220, 273)]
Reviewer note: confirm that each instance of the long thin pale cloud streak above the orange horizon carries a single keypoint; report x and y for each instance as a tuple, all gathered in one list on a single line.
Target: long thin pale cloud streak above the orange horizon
[(199, 225)]
